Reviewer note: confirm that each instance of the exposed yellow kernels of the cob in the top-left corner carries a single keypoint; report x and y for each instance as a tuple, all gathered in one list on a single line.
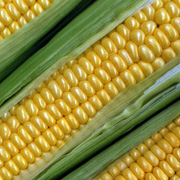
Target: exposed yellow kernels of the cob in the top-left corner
[(16, 13)]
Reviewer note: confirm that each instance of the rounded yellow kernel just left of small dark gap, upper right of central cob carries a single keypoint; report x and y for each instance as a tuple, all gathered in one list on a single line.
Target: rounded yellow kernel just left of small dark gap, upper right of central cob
[(148, 27)]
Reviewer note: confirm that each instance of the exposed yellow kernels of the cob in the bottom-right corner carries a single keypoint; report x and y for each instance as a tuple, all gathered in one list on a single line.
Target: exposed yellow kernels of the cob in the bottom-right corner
[(156, 159)]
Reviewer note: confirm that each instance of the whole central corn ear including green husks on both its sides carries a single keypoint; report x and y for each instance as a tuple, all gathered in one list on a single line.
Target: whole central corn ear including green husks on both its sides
[(93, 95)]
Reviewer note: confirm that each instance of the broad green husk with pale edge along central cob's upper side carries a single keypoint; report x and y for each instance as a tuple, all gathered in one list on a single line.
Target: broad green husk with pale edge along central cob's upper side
[(77, 36)]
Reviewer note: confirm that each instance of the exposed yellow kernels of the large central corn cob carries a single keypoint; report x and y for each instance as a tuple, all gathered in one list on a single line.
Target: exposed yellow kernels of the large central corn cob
[(65, 102)]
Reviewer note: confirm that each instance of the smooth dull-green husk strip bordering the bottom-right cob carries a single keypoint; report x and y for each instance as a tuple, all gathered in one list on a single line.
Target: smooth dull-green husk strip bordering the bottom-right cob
[(95, 165)]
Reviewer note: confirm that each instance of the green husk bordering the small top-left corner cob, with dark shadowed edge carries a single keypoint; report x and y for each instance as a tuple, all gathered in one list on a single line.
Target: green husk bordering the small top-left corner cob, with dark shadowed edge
[(15, 49)]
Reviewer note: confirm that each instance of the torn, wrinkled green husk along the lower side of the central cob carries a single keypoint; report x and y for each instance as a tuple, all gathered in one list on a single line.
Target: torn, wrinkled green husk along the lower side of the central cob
[(118, 122)]
